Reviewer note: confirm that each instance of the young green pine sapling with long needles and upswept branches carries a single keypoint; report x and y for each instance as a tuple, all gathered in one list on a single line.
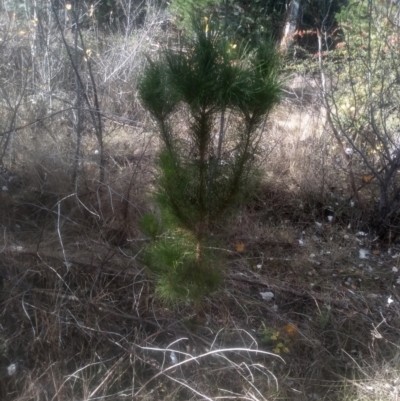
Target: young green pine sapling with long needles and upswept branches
[(206, 166)]
